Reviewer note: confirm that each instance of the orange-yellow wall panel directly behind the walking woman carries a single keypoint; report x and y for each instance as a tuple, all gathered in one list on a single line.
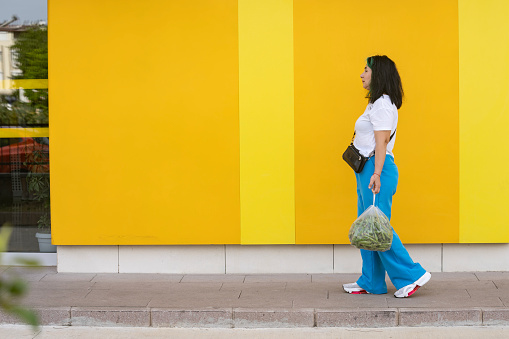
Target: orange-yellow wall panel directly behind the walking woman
[(332, 40)]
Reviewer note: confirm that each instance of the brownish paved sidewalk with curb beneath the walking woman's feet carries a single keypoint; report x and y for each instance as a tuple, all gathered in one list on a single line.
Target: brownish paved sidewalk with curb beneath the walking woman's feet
[(257, 301)]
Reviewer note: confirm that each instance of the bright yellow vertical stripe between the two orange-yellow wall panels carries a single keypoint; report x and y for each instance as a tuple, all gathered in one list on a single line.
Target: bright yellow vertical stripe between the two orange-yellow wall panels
[(267, 197)]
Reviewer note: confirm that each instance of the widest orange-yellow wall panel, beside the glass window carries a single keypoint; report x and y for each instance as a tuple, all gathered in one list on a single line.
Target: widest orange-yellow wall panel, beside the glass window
[(144, 122)]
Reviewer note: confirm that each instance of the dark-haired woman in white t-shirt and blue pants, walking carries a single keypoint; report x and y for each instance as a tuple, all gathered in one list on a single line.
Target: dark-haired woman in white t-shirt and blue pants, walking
[(376, 131)]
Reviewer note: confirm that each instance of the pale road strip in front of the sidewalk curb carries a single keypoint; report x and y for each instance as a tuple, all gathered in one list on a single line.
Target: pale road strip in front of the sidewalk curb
[(71, 332)]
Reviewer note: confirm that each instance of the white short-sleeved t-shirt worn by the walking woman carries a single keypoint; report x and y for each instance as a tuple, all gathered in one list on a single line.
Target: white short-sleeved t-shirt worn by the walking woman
[(382, 115)]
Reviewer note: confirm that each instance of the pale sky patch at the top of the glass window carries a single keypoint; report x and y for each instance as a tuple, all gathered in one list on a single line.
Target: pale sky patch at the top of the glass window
[(25, 10)]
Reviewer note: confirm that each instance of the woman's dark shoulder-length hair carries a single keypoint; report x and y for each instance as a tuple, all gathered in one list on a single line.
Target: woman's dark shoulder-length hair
[(384, 80)]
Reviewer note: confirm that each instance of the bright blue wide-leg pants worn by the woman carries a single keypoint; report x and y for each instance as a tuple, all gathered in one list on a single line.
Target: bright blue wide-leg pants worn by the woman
[(396, 261)]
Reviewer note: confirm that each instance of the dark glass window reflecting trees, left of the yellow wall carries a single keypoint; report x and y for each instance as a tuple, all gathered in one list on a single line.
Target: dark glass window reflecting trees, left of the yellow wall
[(24, 160)]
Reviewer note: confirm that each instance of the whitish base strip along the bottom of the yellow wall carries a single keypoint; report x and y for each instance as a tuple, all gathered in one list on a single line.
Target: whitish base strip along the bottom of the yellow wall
[(256, 259)]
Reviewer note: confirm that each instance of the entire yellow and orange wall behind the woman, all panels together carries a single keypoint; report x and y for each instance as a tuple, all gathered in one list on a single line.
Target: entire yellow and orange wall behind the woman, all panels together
[(223, 122)]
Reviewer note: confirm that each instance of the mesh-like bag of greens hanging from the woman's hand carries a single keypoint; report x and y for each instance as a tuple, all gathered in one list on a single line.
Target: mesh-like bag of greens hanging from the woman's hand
[(372, 230)]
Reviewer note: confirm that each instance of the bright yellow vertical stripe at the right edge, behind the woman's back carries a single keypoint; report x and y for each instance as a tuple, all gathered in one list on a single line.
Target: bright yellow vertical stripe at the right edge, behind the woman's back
[(484, 117)]
